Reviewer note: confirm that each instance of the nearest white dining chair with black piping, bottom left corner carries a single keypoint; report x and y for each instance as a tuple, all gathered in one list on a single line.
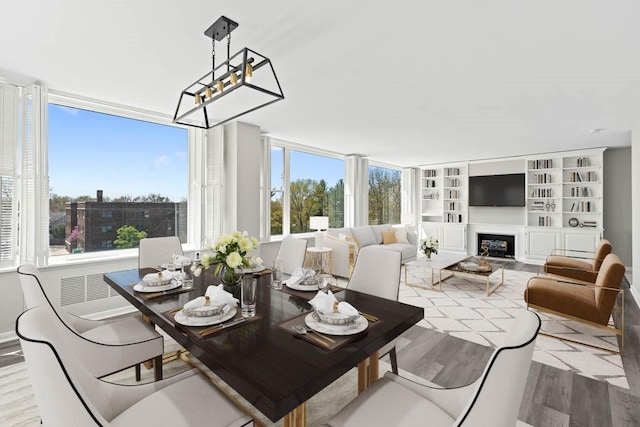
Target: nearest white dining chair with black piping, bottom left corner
[(68, 395)]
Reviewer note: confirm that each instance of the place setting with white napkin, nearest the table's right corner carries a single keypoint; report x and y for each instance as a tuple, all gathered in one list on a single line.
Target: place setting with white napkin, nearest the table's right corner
[(332, 323)]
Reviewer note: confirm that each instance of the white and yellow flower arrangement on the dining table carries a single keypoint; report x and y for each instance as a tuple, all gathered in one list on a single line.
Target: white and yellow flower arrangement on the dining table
[(230, 251)]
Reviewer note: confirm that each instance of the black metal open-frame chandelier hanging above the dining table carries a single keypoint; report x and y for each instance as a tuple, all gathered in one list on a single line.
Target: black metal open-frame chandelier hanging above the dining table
[(205, 103)]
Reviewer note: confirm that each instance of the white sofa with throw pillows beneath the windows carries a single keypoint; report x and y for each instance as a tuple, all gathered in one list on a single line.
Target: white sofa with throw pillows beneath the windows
[(347, 242)]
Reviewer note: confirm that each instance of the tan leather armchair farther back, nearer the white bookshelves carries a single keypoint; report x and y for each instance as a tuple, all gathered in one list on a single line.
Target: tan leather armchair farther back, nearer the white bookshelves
[(575, 264)]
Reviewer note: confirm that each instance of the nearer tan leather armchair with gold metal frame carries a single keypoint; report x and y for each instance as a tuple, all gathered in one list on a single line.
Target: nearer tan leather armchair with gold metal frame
[(587, 303)]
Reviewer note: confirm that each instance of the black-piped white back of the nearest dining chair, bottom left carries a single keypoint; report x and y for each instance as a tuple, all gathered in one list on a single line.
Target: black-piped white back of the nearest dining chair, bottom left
[(59, 382)]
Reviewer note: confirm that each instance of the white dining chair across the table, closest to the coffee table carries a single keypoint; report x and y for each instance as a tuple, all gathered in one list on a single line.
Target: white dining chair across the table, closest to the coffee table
[(377, 272)]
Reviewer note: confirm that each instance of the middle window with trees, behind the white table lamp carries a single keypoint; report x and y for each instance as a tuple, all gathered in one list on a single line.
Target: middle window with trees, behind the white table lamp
[(315, 187)]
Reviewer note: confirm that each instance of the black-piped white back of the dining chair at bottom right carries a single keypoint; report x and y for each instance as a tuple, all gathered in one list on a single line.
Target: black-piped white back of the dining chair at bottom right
[(499, 391)]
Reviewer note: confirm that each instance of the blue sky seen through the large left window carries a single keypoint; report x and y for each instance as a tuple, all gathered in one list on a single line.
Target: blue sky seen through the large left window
[(90, 151)]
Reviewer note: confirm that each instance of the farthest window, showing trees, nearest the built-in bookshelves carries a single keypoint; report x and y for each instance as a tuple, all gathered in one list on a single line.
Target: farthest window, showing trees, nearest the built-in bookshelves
[(384, 195)]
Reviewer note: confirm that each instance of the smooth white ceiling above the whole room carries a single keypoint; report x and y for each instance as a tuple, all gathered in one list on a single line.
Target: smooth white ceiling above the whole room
[(403, 82)]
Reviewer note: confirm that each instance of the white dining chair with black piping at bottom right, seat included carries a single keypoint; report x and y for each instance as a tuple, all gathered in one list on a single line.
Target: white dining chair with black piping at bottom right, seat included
[(494, 399)]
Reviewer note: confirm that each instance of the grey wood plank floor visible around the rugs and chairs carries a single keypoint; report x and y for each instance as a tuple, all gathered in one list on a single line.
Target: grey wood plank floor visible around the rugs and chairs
[(553, 397)]
